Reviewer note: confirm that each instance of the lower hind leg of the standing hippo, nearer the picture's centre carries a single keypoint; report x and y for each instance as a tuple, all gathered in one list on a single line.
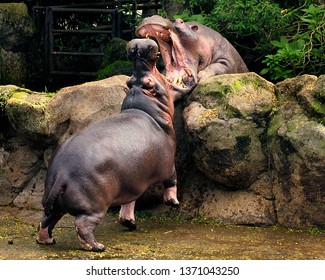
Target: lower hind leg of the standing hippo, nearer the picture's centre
[(85, 225)]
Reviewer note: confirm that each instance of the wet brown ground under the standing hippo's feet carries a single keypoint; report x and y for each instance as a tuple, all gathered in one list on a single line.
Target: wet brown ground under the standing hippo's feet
[(158, 237)]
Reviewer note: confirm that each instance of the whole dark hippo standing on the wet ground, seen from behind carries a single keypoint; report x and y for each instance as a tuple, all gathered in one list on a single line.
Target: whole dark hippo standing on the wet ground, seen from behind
[(114, 161)]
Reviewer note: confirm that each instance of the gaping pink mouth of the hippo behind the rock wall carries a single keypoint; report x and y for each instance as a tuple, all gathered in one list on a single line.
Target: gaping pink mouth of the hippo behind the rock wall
[(178, 71)]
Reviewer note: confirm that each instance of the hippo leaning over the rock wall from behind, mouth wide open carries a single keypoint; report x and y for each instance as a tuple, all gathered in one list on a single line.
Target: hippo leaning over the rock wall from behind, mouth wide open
[(191, 51)]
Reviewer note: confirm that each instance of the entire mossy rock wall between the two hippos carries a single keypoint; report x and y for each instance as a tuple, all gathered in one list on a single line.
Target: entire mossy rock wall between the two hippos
[(249, 152)]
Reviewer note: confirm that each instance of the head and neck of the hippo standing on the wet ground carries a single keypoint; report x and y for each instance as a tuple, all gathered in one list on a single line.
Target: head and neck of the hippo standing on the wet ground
[(149, 90)]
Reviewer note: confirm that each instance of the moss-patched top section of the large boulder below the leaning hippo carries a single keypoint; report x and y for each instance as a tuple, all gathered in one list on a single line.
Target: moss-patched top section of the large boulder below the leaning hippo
[(237, 95)]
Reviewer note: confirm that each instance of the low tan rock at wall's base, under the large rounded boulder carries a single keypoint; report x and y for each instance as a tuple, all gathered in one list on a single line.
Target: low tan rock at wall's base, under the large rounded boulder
[(207, 199)]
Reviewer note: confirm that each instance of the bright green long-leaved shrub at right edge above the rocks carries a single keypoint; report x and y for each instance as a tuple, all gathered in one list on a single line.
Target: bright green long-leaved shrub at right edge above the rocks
[(304, 51)]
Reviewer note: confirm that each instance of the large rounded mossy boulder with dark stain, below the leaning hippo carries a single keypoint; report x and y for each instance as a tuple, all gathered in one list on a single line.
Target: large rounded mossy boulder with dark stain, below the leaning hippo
[(226, 124)]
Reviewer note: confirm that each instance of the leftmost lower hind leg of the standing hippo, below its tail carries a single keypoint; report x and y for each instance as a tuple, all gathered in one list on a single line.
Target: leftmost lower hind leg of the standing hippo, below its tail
[(45, 227)]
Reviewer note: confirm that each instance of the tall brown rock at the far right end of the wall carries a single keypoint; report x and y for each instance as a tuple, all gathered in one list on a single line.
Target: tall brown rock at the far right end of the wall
[(297, 147)]
